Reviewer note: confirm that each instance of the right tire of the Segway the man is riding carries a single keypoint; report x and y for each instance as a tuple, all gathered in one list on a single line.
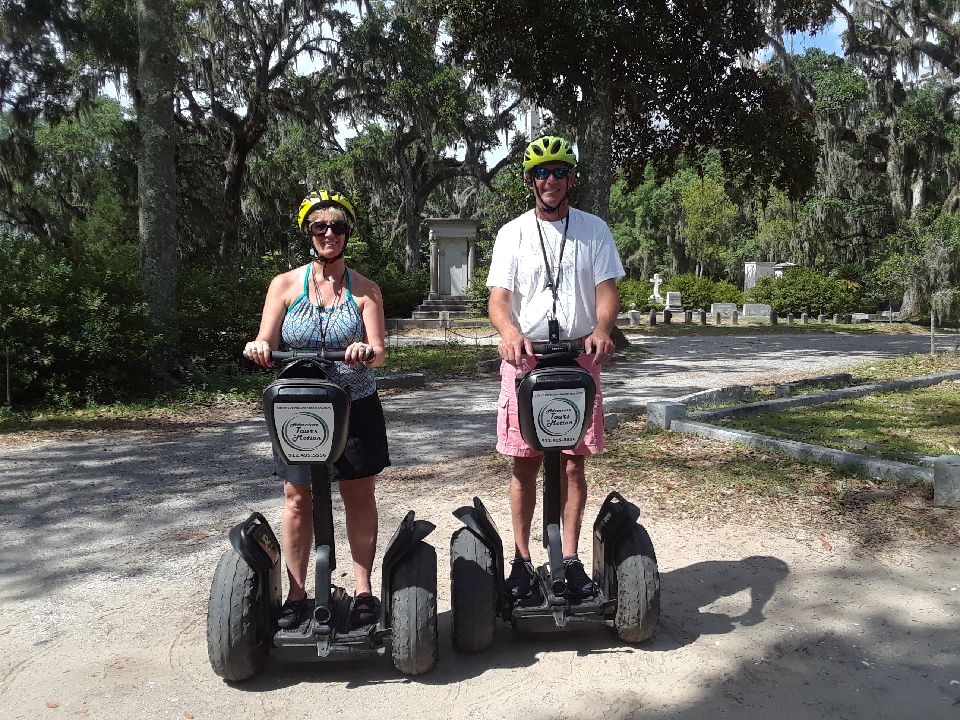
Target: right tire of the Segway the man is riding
[(638, 587)]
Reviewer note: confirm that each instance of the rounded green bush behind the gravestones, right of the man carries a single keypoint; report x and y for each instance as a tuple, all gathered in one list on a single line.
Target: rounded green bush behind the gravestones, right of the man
[(803, 290)]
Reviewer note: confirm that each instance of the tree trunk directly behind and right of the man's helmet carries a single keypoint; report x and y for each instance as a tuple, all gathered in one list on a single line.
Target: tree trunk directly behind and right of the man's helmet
[(594, 166)]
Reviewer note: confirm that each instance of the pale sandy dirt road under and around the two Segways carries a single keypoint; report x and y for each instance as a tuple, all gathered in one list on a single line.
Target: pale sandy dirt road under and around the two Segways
[(109, 542)]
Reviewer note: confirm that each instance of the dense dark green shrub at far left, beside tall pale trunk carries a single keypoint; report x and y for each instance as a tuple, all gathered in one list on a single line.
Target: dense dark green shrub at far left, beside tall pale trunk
[(76, 329)]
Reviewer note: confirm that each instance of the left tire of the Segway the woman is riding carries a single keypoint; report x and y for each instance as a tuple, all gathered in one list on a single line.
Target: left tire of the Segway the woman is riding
[(238, 623)]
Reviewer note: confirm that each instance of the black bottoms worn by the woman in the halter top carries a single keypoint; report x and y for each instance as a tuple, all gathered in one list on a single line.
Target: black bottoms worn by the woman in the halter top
[(365, 453)]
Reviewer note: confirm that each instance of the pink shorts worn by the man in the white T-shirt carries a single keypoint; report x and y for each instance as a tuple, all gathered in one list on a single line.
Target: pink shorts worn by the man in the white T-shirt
[(511, 442)]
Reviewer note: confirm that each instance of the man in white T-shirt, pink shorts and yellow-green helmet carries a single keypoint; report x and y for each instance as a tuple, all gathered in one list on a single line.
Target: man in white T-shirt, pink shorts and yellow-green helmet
[(553, 265)]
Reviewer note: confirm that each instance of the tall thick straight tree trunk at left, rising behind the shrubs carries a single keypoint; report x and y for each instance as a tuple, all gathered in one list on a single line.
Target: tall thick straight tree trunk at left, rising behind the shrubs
[(157, 178)]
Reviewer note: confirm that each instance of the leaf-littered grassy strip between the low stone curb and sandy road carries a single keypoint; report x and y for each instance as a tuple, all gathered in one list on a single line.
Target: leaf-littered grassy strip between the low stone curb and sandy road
[(720, 483)]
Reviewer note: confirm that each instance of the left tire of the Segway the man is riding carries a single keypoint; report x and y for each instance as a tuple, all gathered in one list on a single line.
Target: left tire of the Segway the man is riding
[(473, 592)]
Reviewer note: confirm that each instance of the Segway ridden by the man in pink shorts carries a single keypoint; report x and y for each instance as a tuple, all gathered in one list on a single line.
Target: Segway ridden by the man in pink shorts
[(555, 404)]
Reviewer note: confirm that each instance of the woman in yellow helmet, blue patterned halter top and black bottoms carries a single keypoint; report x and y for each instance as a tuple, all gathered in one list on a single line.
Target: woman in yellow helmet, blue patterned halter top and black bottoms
[(323, 304)]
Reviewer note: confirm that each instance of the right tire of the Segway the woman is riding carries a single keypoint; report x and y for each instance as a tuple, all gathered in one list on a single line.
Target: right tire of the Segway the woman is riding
[(413, 611)]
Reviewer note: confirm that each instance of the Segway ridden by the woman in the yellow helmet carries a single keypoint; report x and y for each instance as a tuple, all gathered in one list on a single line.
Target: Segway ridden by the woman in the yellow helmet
[(307, 417)]
